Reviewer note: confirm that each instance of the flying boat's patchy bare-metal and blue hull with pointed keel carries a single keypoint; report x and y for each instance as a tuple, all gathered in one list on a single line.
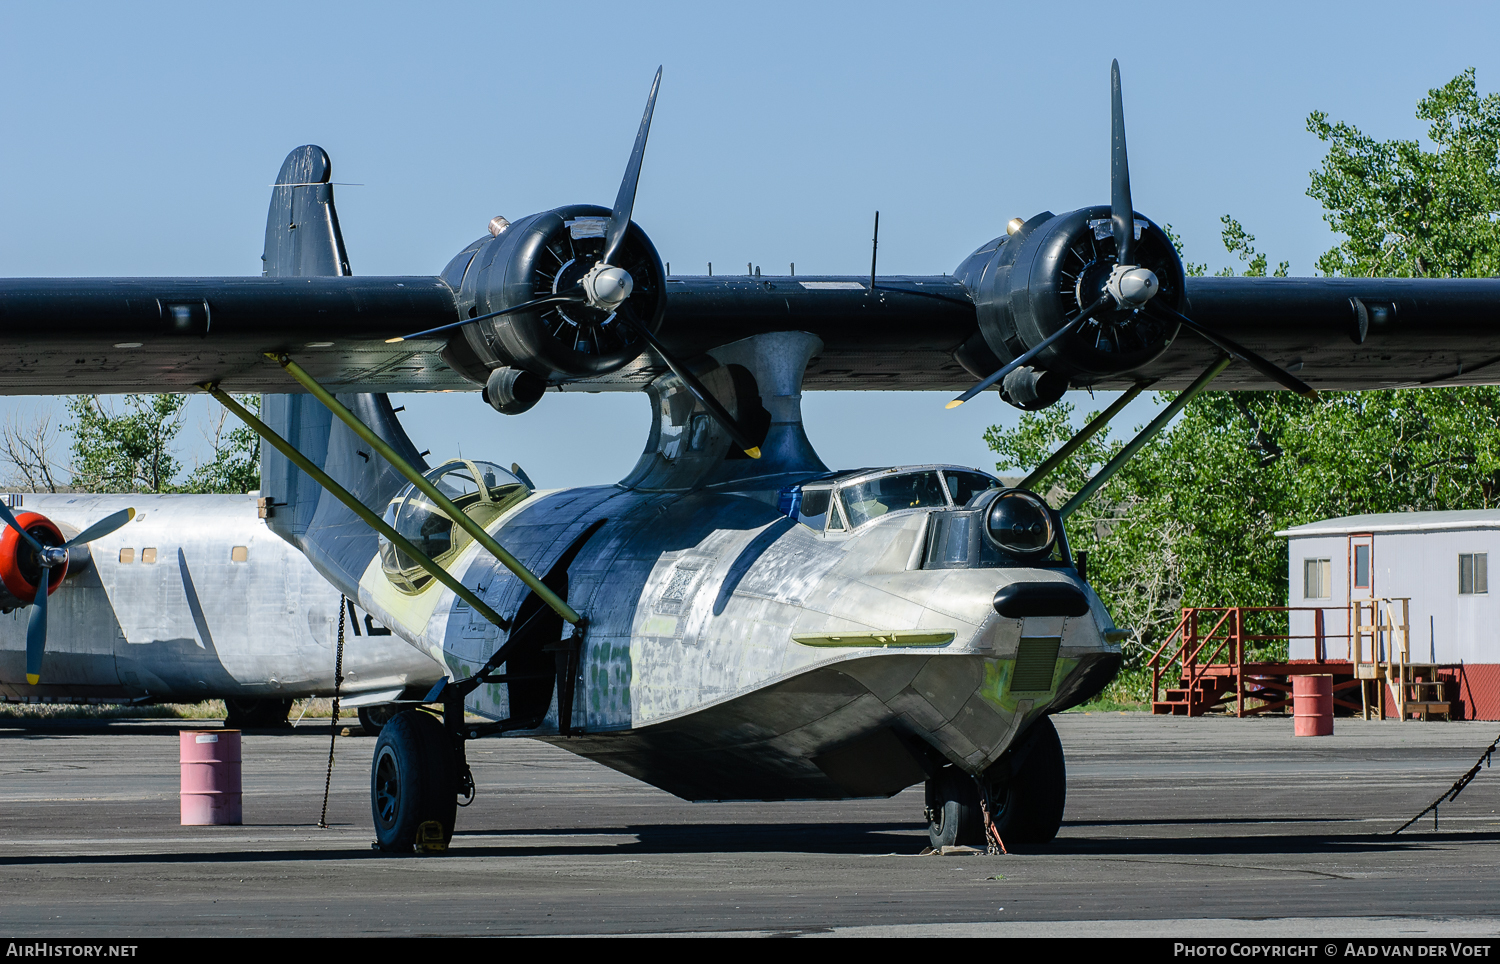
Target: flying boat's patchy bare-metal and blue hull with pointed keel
[(691, 677)]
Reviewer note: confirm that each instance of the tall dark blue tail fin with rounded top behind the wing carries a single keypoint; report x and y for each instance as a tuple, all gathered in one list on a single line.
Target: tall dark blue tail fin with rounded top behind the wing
[(304, 241)]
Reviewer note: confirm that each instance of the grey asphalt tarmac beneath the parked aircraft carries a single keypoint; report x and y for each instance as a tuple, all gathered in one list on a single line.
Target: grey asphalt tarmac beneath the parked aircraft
[(1178, 828)]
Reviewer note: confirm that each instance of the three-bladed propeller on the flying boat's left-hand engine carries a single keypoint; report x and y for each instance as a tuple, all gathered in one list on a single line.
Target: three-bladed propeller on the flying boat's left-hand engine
[(607, 287)]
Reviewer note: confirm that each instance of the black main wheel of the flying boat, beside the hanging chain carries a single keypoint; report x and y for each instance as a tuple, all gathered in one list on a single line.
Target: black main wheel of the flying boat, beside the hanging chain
[(413, 780)]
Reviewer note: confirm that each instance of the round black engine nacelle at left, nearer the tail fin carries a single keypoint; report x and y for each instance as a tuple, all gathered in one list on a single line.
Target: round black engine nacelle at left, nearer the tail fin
[(541, 256)]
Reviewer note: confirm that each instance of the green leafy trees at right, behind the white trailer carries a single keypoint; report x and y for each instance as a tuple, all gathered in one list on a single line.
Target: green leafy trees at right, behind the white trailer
[(1192, 521)]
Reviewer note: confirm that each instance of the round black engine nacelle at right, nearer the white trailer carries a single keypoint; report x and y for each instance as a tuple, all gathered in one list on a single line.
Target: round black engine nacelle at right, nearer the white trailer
[(1036, 281)]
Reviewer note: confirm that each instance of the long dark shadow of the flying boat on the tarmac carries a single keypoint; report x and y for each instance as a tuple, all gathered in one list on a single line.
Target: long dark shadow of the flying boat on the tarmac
[(812, 839)]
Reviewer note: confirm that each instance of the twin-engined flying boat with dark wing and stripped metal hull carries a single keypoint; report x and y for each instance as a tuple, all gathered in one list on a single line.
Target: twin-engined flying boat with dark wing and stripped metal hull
[(734, 620)]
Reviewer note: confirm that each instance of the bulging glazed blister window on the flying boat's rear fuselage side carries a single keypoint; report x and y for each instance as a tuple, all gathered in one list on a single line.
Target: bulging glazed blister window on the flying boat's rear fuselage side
[(479, 489)]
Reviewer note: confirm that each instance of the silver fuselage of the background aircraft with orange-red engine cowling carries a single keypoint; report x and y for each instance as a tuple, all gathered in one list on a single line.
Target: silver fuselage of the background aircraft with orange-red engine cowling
[(197, 599)]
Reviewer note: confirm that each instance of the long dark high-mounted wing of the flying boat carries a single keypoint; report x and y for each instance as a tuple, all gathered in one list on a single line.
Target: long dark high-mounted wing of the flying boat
[(169, 335)]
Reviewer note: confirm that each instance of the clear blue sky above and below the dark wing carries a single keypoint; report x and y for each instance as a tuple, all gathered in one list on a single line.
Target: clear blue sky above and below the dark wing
[(142, 139)]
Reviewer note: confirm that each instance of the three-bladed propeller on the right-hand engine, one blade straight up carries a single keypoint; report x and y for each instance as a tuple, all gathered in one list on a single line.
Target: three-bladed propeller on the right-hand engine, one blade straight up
[(1130, 286)]
